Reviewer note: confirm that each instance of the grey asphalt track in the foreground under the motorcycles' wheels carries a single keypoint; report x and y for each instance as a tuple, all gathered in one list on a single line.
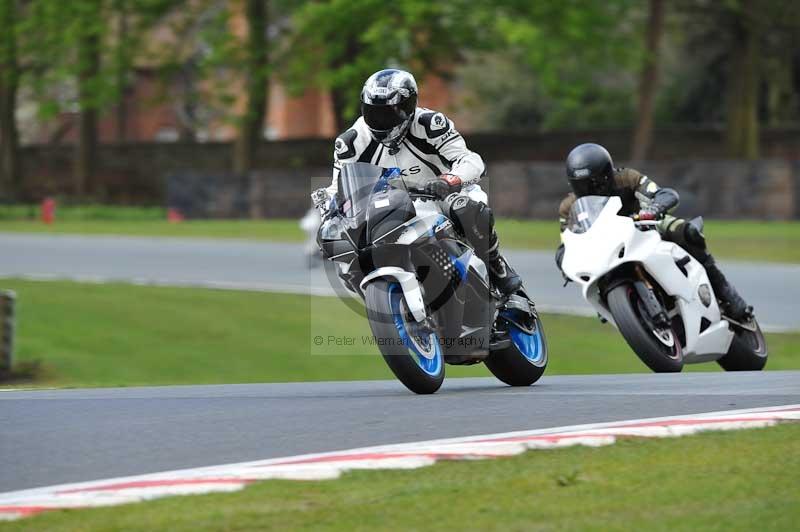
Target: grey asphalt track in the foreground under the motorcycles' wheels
[(57, 436)]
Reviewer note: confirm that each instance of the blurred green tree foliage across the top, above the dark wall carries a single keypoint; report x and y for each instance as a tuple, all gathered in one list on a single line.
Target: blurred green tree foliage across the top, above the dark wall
[(524, 65)]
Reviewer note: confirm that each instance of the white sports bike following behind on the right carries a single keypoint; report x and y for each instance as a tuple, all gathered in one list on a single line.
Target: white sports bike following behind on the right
[(657, 295)]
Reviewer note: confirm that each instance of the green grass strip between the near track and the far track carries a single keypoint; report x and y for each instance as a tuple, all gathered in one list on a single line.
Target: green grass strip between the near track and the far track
[(109, 335)]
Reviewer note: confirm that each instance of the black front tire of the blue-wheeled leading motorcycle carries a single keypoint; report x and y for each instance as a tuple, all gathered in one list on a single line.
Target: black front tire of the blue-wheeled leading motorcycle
[(394, 353)]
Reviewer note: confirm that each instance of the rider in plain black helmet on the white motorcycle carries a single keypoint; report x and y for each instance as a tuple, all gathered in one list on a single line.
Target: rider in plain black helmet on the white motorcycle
[(590, 171)]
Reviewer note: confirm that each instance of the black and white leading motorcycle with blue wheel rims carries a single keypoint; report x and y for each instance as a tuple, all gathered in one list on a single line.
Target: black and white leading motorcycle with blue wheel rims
[(428, 296)]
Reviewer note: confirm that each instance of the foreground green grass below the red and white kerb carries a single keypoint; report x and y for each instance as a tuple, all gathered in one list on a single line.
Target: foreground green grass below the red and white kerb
[(743, 480)]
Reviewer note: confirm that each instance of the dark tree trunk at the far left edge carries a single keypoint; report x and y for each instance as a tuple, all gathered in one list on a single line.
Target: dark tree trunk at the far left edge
[(10, 173)]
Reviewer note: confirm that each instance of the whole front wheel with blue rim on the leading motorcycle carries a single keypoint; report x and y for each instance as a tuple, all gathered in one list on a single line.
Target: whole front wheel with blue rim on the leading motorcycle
[(411, 349)]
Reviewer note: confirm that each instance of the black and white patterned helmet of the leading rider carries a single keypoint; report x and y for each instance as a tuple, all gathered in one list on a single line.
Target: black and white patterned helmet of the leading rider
[(388, 102)]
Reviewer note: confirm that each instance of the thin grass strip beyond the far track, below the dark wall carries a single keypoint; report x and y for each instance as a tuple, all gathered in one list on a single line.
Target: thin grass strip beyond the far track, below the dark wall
[(743, 240)]
